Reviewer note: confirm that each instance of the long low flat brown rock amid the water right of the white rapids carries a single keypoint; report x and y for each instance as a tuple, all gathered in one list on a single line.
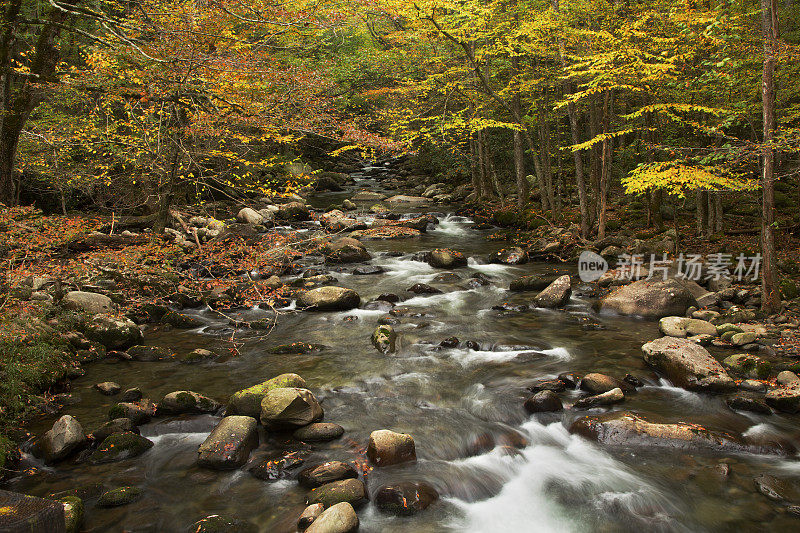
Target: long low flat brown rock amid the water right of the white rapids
[(625, 429)]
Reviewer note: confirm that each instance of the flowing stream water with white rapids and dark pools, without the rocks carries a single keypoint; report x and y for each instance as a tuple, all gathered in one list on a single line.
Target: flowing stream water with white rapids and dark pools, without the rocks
[(535, 477)]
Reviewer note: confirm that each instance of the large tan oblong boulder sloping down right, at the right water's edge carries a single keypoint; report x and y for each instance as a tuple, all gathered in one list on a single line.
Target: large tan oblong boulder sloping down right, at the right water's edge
[(687, 364)]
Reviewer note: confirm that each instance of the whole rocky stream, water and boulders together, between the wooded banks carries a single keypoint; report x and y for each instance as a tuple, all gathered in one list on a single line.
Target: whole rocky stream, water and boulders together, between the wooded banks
[(409, 389)]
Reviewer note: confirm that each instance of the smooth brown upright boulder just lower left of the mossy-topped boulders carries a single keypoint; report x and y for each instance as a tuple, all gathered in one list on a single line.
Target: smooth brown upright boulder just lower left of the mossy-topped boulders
[(229, 444)]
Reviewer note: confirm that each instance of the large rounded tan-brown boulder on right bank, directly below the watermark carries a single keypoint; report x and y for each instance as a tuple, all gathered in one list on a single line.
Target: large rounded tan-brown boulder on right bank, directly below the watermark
[(649, 299)]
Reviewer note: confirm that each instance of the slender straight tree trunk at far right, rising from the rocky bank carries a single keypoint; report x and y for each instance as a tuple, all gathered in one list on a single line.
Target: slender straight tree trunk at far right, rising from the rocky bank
[(770, 294)]
